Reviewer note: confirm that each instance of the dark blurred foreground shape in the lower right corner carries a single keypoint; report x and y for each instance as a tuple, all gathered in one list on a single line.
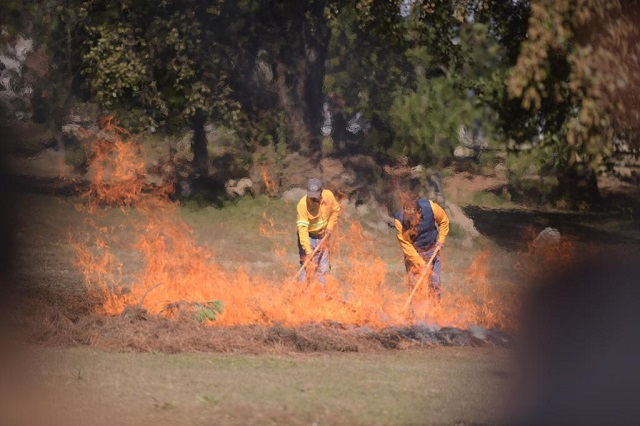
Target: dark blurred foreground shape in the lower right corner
[(578, 357)]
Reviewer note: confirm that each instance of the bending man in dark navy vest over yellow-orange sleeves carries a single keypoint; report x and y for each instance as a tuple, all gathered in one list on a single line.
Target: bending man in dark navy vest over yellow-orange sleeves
[(422, 227)]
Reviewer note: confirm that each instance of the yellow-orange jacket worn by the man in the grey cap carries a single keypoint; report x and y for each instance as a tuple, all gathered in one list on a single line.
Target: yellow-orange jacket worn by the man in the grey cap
[(315, 224)]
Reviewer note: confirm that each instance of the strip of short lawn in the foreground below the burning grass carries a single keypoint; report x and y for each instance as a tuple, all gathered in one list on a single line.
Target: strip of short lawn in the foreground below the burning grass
[(430, 386)]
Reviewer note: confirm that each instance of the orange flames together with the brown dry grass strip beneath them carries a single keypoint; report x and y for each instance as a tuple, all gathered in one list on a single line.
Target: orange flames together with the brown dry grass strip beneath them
[(150, 286)]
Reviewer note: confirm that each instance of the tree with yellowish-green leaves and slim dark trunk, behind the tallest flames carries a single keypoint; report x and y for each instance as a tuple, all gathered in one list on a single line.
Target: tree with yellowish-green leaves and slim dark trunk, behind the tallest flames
[(158, 64)]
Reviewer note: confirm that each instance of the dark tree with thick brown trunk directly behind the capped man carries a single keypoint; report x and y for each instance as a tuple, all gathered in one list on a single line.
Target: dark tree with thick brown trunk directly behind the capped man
[(288, 41)]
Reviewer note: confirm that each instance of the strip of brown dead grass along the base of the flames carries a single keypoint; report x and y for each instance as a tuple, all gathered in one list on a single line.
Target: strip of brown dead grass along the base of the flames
[(50, 319)]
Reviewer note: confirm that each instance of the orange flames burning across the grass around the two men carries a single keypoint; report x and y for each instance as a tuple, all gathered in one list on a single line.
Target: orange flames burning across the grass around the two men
[(178, 275)]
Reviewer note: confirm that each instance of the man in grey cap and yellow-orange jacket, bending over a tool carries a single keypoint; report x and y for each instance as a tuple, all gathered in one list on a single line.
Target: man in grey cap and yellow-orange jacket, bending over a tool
[(317, 217)]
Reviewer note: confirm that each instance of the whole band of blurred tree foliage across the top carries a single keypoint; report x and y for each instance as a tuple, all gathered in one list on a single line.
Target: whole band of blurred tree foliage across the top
[(394, 78)]
